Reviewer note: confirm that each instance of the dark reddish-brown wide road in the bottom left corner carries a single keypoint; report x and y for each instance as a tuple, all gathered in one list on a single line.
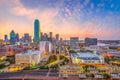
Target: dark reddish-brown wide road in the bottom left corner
[(30, 74)]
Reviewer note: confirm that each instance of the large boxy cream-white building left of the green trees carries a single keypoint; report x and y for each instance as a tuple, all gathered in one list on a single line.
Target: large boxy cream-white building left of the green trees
[(30, 57)]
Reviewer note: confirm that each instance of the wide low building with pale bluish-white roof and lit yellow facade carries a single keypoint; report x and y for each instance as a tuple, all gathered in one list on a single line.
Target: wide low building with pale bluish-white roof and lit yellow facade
[(87, 58)]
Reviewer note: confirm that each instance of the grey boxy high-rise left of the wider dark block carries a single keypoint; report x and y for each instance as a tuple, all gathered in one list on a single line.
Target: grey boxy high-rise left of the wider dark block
[(74, 42)]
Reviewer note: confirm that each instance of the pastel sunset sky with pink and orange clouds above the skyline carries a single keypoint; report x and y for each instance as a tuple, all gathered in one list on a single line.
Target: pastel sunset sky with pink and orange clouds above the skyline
[(81, 18)]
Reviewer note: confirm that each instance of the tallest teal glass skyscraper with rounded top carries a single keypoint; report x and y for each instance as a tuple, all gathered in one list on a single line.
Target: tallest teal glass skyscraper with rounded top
[(36, 30)]
